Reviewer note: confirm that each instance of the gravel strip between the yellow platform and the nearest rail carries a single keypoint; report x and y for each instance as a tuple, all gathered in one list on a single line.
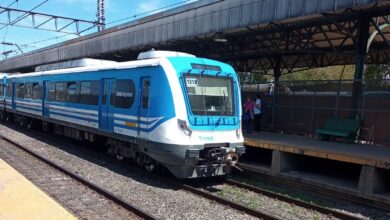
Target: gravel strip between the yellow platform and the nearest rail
[(77, 198)]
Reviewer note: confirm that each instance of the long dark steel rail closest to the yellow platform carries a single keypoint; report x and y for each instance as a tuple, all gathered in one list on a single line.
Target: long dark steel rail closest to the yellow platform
[(115, 199)]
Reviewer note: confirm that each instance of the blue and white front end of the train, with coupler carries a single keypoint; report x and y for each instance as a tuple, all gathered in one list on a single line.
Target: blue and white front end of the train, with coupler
[(208, 112)]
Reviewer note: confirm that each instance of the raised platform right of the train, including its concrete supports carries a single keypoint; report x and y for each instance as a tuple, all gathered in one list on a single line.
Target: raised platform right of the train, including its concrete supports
[(356, 170)]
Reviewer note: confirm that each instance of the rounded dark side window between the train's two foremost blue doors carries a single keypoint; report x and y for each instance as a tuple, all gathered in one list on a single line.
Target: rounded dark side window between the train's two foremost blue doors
[(124, 93)]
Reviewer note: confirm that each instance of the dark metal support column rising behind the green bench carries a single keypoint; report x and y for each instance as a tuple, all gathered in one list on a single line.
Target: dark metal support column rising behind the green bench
[(361, 52)]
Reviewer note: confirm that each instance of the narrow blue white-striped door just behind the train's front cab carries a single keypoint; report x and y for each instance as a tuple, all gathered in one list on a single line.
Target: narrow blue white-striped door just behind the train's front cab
[(143, 107)]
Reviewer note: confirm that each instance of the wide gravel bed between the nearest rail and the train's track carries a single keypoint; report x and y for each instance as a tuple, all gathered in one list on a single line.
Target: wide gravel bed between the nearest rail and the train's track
[(155, 197)]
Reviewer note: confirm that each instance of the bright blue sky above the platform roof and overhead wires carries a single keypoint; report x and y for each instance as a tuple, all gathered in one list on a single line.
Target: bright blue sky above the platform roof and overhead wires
[(30, 39)]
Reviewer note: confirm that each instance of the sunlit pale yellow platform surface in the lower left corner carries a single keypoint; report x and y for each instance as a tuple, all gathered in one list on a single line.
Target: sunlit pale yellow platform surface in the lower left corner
[(21, 199)]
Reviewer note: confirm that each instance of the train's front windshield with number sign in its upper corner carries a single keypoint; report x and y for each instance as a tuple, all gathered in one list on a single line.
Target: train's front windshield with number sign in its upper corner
[(210, 95)]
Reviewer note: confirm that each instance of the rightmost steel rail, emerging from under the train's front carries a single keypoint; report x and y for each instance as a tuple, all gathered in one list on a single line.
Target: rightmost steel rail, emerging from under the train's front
[(290, 200)]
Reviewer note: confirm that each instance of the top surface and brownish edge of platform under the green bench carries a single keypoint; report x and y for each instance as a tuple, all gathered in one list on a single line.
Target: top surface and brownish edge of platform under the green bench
[(377, 156)]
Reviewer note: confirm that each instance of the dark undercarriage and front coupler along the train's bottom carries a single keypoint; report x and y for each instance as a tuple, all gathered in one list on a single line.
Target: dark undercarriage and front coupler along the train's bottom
[(188, 162)]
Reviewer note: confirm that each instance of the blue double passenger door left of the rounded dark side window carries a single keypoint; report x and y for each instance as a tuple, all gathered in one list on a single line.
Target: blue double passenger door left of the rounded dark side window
[(105, 113)]
